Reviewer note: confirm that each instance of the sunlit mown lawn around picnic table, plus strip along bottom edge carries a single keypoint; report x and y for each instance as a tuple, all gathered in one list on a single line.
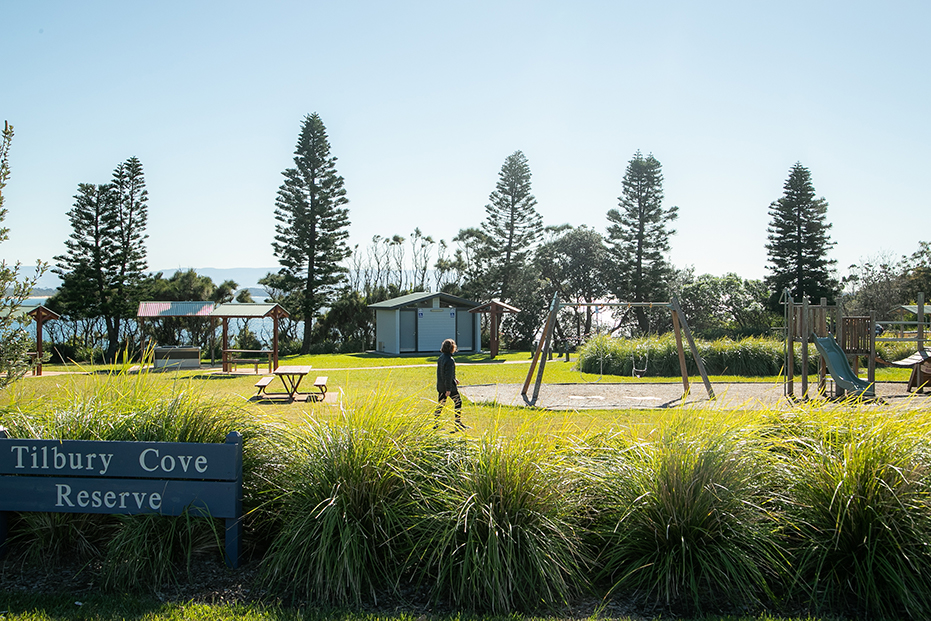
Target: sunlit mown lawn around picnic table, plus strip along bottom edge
[(352, 379)]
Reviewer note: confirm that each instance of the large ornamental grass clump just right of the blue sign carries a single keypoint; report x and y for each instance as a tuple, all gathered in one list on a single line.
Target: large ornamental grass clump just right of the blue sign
[(349, 502)]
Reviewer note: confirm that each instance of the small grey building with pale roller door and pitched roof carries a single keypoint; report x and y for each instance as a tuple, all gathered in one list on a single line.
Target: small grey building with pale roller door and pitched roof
[(420, 322)]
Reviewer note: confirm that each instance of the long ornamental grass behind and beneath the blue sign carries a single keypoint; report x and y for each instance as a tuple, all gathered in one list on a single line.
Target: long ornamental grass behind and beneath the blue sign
[(125, 407)]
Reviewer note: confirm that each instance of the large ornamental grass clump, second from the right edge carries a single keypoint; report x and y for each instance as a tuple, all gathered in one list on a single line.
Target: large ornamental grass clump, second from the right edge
[(684, 516)]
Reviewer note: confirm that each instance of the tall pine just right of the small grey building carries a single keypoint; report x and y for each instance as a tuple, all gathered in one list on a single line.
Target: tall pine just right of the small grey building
[(512, 224)]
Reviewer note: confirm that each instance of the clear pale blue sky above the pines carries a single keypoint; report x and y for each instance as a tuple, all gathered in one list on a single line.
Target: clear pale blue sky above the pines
[(423, 101)]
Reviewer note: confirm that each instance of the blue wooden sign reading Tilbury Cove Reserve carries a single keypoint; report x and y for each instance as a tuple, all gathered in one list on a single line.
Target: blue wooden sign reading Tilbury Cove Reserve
[(86, 476)]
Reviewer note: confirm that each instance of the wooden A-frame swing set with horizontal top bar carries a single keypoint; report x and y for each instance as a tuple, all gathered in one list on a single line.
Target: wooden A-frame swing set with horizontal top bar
[(680, 327)]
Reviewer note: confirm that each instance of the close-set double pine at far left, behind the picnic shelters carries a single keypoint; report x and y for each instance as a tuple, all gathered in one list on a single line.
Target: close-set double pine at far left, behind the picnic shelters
[(104, 265)]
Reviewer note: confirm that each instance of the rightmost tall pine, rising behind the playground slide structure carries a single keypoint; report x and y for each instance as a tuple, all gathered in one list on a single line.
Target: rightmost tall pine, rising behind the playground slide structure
[(799, 242)]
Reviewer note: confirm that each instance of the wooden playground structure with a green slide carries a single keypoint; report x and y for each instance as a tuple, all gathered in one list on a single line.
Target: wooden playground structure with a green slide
[(854, 336)]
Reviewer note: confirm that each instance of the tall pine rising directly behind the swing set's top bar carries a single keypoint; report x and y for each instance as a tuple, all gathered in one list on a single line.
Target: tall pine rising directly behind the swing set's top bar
[(639, 237)]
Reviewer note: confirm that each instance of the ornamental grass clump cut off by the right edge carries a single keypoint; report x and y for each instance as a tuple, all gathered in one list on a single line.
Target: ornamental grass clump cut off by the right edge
[(860, 514)]
